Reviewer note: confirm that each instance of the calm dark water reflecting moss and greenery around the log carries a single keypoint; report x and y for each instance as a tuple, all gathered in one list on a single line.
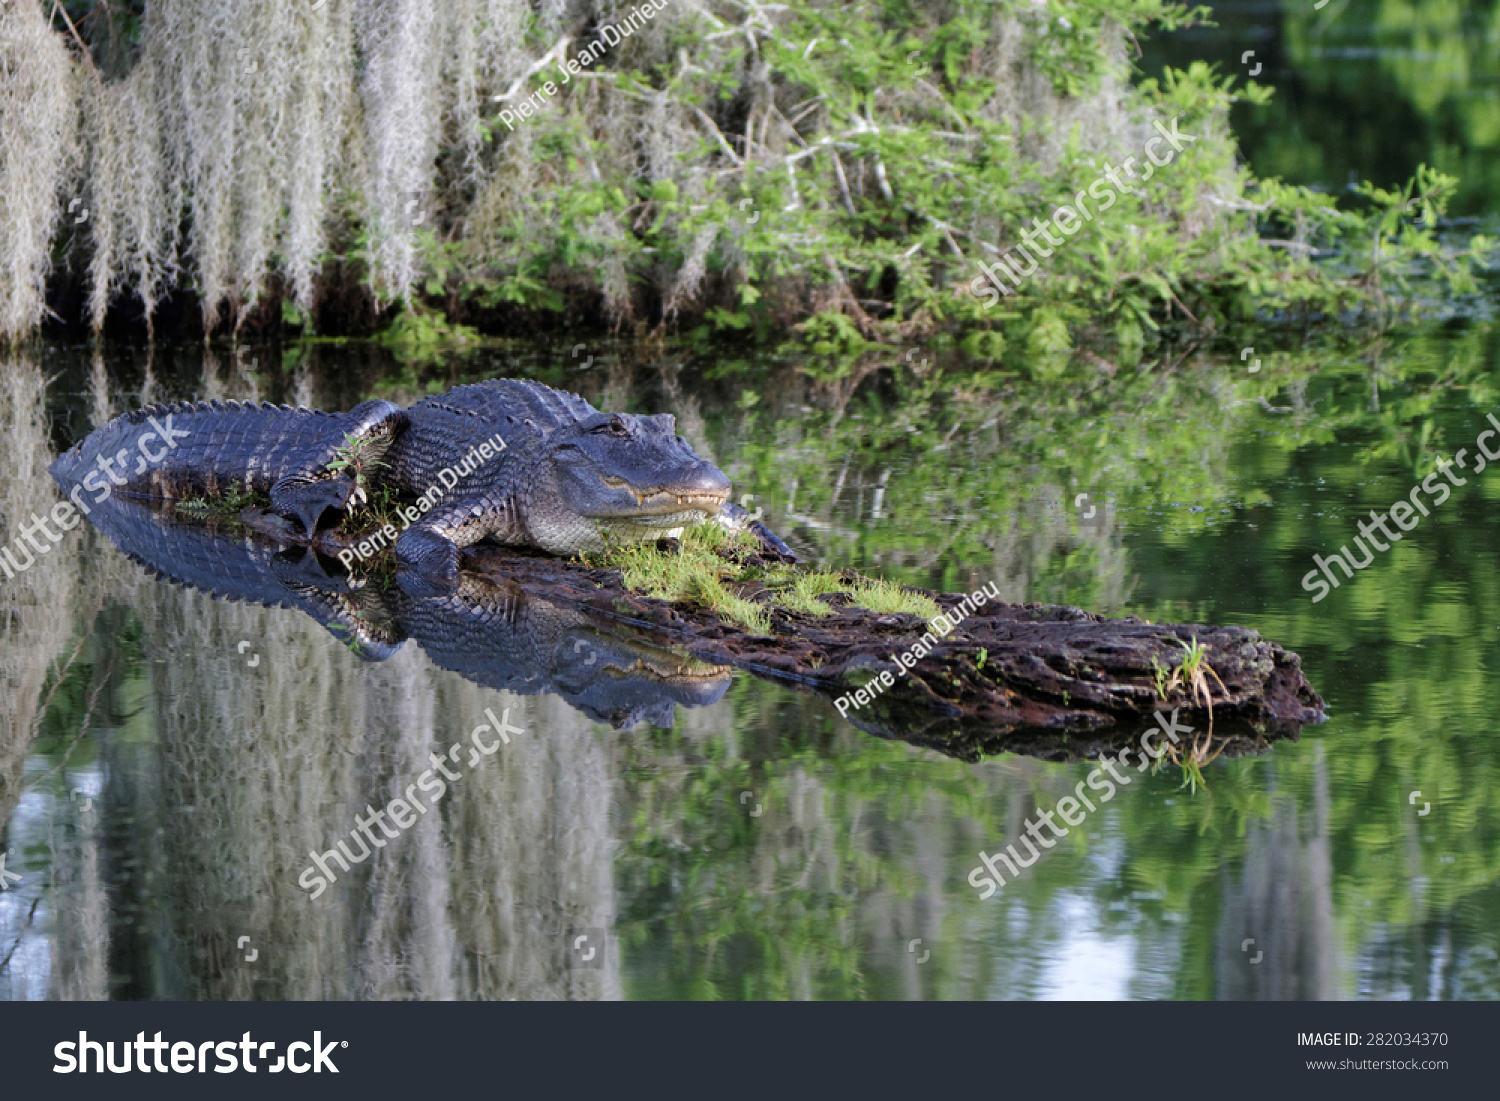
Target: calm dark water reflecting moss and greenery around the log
[(170, 761)]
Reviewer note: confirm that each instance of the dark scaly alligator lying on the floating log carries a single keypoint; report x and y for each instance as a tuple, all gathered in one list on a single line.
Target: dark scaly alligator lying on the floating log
[(511, 461)]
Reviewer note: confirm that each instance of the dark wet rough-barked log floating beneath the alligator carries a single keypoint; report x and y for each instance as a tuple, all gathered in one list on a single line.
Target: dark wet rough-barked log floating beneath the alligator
[(1051, 682)]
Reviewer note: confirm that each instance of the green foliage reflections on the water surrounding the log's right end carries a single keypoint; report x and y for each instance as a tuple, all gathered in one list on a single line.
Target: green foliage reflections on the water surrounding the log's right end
[(751, 911)]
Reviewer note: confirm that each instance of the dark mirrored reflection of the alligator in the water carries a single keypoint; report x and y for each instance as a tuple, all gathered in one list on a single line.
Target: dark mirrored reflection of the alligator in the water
[(490, 632)]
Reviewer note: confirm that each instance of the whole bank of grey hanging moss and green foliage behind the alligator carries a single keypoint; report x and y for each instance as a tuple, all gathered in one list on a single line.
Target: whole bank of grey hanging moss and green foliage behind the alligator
[(664, 161)]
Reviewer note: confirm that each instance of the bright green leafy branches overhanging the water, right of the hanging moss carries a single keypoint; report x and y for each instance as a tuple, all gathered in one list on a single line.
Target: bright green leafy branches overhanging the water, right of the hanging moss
[(907, 167)]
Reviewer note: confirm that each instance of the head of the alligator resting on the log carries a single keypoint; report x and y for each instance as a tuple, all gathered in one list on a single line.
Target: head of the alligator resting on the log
[(626, 478)]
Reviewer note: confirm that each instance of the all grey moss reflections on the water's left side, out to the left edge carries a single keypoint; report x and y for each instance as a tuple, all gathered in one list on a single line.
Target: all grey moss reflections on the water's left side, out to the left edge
[(221, 779)]
